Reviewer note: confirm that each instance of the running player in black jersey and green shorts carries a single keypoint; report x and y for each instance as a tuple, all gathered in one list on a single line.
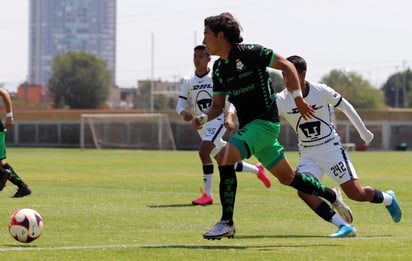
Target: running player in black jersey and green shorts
[(241, 74)]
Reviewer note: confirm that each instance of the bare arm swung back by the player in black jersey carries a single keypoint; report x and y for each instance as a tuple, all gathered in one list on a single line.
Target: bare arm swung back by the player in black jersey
[(280, 63)]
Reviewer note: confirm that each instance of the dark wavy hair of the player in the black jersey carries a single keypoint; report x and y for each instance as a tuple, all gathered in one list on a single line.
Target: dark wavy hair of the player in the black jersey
[(226, 23)]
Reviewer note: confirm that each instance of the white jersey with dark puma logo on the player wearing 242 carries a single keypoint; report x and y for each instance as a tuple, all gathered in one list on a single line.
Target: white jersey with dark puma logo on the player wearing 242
[(318, 130)]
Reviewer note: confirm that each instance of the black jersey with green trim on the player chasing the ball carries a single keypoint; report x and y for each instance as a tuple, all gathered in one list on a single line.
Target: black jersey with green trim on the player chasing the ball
[(244, 78)]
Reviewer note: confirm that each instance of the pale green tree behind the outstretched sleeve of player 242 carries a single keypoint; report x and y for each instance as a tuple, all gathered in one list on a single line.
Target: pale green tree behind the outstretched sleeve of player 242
[(356, 90)]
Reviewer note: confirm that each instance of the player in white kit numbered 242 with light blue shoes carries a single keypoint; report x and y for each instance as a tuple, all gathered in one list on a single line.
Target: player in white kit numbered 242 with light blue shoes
[(321, 151)]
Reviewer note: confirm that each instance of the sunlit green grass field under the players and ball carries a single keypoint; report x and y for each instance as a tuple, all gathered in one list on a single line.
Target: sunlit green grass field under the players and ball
[(135, 205)]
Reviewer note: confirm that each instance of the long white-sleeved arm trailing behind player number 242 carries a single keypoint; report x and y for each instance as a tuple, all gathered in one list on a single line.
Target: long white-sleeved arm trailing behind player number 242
[(353, 116)]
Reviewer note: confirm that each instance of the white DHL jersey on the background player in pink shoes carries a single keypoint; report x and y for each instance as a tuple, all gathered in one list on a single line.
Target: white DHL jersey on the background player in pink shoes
[(198, 90)]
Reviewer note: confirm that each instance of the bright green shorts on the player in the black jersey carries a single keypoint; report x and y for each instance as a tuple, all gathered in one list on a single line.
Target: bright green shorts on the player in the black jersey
[(260, 138)]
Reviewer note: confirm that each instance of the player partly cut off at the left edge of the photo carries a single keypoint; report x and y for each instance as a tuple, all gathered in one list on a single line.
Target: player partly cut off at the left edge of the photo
[(6, 171)]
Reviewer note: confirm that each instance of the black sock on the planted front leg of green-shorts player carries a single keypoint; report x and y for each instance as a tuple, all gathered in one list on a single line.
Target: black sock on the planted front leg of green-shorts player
[(227, 191)]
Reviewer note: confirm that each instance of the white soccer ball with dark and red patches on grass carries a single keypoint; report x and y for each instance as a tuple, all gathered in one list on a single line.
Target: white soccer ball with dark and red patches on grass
[(26, 225)]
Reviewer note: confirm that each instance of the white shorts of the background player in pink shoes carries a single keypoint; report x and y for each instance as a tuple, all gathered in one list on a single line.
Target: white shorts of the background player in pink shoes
[(213, 131)]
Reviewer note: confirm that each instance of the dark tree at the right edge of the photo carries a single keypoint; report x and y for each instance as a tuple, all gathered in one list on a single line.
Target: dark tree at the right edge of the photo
[(398, 90)]
